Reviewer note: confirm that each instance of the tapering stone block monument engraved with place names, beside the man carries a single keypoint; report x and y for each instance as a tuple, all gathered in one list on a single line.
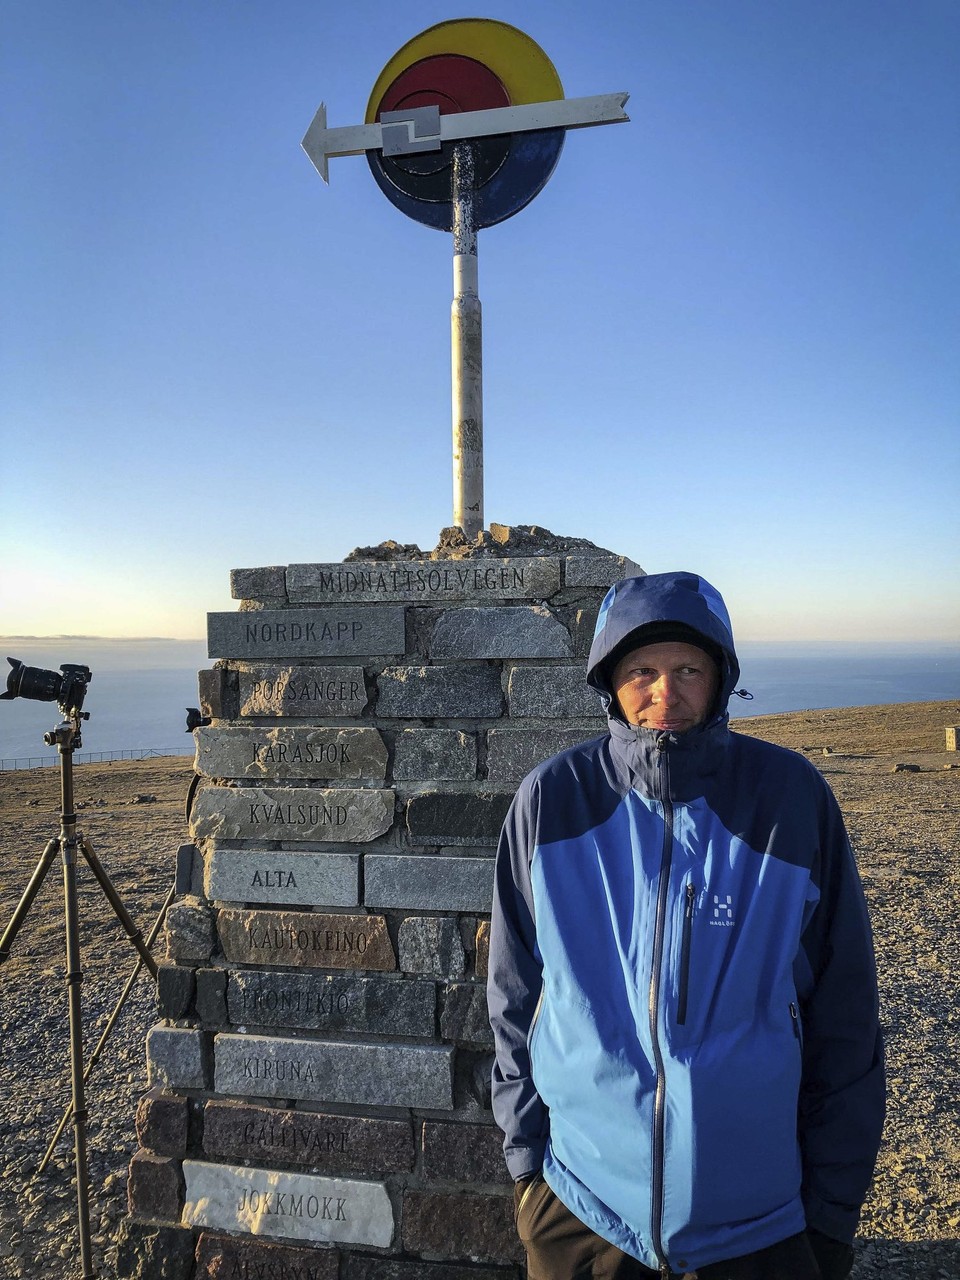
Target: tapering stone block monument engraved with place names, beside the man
[(319, 1103)]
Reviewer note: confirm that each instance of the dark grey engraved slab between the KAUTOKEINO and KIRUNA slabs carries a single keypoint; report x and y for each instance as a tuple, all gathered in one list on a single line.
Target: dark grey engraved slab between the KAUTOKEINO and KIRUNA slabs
[(316, 1003)]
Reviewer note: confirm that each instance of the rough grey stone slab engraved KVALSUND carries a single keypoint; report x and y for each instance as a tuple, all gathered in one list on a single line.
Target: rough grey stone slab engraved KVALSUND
[(292, 813)]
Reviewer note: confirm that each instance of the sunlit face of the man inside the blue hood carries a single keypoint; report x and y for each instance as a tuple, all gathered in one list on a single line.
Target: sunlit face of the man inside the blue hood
[(666, 687)]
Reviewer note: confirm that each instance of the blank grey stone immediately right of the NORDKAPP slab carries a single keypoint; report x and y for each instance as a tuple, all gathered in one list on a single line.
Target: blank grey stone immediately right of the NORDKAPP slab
[(531, 632)]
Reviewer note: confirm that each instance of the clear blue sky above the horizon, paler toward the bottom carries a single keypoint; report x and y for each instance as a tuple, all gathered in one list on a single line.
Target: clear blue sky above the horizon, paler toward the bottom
[(724, 339)]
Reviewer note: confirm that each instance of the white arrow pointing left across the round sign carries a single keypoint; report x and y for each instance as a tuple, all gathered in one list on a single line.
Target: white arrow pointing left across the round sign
[(426, 130)]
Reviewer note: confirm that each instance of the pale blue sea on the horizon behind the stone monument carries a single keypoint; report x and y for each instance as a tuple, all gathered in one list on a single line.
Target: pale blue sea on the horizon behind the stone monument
[(140, 691)]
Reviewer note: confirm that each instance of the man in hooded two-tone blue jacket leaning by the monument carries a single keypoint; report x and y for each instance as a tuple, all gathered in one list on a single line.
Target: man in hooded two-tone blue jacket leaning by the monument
[(683, 986)]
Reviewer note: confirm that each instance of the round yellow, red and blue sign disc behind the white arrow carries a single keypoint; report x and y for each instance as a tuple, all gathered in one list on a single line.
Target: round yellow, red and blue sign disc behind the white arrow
[(469, 65)]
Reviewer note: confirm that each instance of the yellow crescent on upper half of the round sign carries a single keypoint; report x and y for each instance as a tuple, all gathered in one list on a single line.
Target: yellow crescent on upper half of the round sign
[(522, 66)]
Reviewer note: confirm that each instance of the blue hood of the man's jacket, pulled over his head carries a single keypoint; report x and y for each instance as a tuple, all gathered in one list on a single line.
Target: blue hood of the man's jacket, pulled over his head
[(682, 600)]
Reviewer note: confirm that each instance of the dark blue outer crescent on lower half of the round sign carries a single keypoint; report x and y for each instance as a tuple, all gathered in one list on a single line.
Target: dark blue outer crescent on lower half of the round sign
[(523, 176)]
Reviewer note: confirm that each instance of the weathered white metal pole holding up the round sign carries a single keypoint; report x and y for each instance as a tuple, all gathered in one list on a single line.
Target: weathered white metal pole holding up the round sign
[(467, 349)]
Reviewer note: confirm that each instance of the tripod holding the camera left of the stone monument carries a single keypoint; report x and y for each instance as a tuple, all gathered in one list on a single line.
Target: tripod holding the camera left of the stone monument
[(68, 842)]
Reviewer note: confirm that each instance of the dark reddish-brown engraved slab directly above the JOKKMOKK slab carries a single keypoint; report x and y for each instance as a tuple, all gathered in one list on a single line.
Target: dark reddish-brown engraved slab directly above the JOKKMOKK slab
[(328, 1144)]
